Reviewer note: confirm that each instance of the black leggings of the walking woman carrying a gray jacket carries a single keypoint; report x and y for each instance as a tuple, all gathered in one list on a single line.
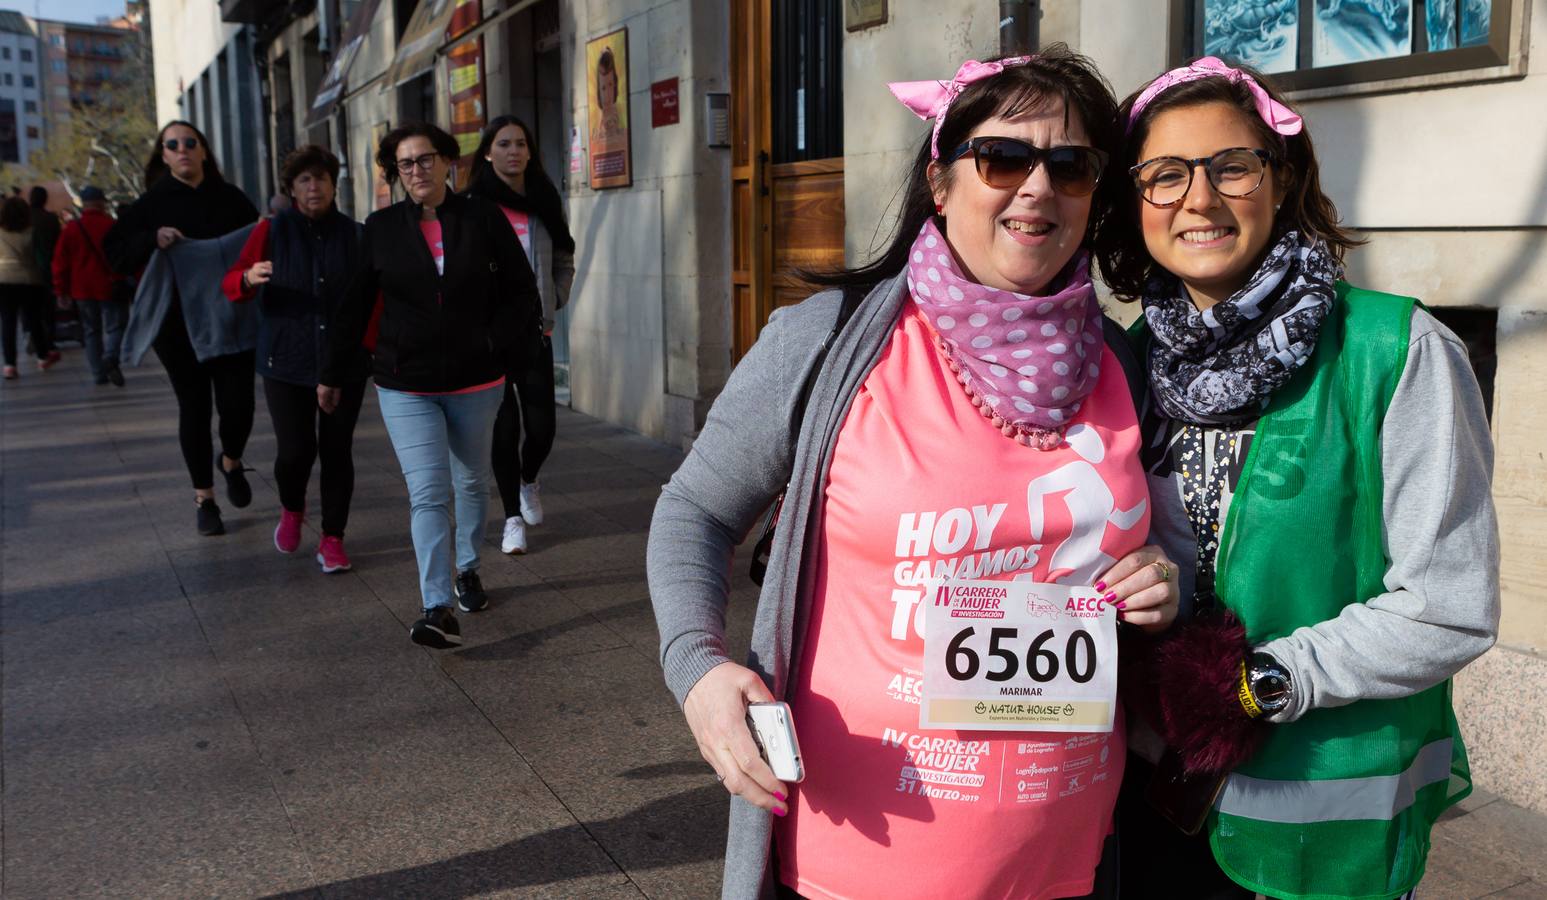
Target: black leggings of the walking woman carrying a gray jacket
[(193, 381)]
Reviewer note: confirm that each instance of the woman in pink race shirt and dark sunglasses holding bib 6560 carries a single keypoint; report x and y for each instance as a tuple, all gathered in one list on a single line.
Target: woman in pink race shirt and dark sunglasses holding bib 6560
[(971, 417)]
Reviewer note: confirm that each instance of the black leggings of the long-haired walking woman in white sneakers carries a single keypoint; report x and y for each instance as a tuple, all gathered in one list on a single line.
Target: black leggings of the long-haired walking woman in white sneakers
[(517, 462)]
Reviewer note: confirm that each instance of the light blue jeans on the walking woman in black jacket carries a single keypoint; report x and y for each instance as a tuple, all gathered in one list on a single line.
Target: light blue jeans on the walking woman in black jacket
[(443, 443)]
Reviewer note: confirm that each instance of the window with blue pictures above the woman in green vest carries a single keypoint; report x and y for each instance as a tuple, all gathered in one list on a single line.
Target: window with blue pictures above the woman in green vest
[(1323, 44)]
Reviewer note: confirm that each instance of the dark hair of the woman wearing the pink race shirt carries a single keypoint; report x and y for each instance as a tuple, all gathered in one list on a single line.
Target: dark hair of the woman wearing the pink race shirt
[(1054, 73)]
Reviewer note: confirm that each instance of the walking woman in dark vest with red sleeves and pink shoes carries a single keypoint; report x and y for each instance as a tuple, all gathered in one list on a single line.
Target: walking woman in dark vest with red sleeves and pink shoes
[(298, 265)]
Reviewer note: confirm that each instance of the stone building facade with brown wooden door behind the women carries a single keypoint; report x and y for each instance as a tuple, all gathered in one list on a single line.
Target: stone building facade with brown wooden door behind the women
[(709, 151)]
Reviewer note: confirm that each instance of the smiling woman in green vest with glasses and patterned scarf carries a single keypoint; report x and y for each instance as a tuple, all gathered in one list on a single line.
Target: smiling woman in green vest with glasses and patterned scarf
[(1320, 466)]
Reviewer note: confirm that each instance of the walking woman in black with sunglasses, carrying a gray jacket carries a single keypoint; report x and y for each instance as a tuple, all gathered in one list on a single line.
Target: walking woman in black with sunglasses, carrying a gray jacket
[(186, 199)]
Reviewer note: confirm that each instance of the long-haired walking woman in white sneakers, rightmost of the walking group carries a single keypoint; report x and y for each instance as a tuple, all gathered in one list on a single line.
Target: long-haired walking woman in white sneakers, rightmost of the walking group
[(508, 172)]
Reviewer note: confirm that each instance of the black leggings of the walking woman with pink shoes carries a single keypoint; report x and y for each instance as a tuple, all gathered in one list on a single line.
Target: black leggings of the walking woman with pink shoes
[(304, 432)]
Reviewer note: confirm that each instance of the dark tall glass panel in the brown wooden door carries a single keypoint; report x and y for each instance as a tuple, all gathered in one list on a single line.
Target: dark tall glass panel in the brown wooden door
[(808, 80)]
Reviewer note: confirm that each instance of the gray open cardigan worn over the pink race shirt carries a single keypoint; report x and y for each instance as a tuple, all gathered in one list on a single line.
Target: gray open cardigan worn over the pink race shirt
[(740, 463)]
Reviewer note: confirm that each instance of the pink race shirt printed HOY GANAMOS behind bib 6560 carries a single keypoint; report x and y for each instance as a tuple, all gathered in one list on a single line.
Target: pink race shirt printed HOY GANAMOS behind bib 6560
[(923, 485)]
